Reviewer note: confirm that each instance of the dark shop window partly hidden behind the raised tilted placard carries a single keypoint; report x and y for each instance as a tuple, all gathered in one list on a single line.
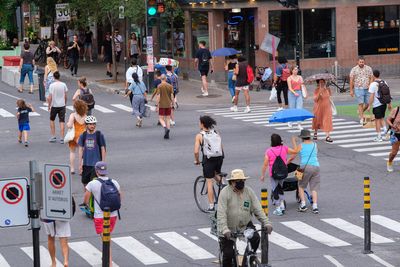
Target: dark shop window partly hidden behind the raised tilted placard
[(283, 25)]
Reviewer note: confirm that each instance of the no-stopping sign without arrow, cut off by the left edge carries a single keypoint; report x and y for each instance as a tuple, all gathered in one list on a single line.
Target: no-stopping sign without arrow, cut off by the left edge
[(14, 202)]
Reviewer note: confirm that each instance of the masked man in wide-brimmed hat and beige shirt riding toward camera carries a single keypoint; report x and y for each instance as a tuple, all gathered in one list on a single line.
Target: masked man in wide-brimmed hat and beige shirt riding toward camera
[(236, 205)]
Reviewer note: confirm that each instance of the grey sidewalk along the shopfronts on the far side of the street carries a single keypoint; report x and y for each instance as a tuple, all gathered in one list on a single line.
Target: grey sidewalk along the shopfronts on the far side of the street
[(190, 93)]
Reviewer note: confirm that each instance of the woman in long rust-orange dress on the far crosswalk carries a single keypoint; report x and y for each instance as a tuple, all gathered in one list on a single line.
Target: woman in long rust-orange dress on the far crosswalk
[(322, 111)]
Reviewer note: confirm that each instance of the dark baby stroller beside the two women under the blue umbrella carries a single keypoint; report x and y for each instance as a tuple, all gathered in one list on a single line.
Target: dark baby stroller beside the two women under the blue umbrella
[(290, 184)]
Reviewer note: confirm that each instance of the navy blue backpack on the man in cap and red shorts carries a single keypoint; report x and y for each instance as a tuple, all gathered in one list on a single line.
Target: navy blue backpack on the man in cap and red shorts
[(109, 196)]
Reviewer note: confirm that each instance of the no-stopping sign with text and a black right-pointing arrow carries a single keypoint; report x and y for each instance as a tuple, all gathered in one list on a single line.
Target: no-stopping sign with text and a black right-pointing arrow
[(57, 198)]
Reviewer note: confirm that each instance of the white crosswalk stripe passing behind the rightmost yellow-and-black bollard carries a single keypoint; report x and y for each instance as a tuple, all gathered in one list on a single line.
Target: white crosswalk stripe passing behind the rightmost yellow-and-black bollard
[(356, 230)]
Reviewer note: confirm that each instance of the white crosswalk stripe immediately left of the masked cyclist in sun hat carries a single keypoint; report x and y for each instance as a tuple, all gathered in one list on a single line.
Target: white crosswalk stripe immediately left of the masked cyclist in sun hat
[(184, 245)]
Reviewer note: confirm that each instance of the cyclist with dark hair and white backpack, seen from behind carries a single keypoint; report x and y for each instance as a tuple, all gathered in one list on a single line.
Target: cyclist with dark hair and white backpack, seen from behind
[(210, 143)]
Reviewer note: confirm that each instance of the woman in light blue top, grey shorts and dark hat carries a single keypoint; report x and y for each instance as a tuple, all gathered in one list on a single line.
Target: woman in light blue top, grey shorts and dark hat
[(308, 173)]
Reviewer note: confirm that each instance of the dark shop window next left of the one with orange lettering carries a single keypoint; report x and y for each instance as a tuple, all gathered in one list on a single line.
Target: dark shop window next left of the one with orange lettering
[(319, 33)]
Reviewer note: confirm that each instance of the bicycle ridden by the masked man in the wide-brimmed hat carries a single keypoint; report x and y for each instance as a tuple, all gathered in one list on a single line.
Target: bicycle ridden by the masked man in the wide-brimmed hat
[(250, 258)]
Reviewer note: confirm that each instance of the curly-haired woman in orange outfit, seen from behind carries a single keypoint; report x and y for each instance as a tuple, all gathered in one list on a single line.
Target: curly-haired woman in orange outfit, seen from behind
[(76, 123)]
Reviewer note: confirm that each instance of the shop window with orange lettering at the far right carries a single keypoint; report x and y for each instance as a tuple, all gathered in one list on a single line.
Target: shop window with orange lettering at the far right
[(378, 30)]
